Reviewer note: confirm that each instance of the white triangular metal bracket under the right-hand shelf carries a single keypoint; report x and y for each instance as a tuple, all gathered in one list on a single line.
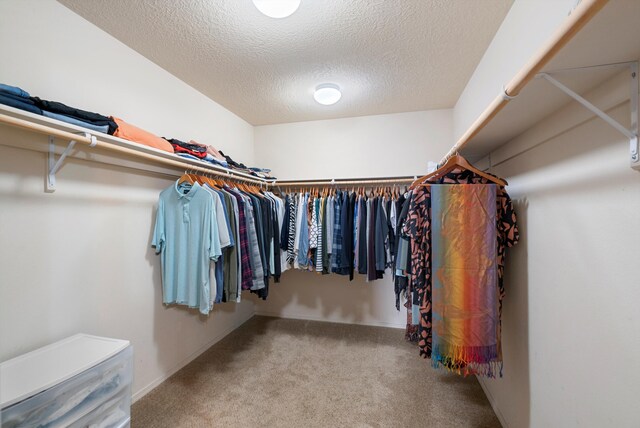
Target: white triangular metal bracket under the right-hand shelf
[(632, 133)]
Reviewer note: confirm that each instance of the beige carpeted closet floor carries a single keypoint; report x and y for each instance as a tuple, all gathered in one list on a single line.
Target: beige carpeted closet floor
[(274, 372)]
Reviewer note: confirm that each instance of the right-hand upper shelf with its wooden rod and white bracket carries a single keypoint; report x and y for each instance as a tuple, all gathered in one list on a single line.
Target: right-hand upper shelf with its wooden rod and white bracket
[(610, 36)]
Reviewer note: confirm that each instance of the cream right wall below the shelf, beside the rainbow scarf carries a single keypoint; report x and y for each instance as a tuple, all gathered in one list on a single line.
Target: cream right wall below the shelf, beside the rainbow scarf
[(571, 324)]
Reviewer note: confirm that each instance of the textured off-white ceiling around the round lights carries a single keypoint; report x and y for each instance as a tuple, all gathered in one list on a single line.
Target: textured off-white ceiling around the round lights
[(388, 56)]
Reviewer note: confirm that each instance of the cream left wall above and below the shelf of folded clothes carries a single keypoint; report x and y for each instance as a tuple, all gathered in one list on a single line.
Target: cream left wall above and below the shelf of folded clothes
[(79, 260)]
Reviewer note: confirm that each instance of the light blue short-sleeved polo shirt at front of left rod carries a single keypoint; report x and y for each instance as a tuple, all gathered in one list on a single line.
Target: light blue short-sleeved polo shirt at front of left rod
[(186, 237)]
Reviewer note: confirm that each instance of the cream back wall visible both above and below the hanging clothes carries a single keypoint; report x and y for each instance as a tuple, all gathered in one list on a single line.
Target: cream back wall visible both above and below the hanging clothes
[(370, 146)]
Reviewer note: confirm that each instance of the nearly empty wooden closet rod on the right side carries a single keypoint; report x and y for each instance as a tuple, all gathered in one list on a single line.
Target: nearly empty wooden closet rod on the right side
[(582, 14)]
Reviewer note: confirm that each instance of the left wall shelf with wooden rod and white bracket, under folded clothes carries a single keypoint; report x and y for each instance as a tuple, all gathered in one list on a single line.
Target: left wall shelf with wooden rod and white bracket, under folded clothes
[(70, 135)]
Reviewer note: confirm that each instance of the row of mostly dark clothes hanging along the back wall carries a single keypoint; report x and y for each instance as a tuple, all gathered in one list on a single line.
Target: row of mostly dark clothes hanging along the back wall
[(336, 233)]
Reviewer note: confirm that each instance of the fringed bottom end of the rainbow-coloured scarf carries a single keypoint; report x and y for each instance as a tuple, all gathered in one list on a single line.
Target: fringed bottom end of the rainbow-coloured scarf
[(468, 360)]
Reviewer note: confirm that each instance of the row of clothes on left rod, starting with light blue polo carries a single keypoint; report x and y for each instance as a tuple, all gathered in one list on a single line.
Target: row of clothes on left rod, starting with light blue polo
[(216, 242)]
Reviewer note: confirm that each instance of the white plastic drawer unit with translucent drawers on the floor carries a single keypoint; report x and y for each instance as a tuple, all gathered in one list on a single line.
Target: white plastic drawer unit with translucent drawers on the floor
[(81, 381)]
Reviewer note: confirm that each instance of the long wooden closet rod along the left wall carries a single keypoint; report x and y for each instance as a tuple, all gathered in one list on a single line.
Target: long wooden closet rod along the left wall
[(87, 140)]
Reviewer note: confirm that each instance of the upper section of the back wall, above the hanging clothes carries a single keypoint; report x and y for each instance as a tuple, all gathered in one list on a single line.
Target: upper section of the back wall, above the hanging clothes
[(368, 146)]
